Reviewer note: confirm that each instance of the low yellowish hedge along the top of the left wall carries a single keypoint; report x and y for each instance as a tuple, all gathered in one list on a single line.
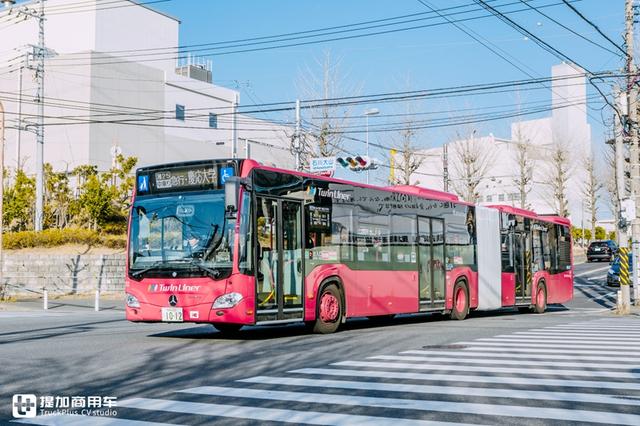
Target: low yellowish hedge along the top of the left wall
[(58, 237)]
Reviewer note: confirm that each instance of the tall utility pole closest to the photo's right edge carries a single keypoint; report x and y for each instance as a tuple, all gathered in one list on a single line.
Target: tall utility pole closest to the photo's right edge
[(632, 114)]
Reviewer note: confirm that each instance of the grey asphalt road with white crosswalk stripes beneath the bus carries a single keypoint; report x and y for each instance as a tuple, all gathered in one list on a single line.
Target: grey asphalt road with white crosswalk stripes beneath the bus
[(575, 364)]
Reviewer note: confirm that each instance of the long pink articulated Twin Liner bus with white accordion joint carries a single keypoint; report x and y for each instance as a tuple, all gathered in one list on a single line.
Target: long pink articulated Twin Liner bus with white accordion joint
[(233, 243)]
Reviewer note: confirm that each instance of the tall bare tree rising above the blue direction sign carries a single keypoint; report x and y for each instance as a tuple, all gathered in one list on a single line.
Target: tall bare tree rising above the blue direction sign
[(324, 135)]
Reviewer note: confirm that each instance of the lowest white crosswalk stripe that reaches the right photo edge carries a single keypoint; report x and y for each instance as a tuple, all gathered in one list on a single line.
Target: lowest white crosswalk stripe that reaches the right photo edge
[(496, 410)]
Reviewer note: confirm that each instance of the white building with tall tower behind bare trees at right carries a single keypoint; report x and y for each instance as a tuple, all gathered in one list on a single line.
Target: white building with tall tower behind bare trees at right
[(567, 125)]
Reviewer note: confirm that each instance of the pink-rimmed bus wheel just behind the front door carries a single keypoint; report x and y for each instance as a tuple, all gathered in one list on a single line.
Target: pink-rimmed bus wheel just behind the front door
[(330, 306)]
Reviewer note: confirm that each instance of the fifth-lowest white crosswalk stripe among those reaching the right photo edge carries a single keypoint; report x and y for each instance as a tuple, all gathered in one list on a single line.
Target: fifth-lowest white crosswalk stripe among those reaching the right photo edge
[(437, 360)]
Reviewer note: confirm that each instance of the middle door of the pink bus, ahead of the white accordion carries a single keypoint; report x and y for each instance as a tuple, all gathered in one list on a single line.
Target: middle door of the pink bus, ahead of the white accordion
[(431, 263)]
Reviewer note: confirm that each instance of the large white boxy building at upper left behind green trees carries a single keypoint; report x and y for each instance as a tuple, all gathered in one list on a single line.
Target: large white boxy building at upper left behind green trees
[(102, 68)]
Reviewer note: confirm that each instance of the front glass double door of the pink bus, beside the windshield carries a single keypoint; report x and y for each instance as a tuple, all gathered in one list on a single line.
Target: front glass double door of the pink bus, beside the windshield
[(280, 273)]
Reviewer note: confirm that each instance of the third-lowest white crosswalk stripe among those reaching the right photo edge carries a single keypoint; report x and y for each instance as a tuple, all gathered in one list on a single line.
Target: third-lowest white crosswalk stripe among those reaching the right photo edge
[(458, 378)]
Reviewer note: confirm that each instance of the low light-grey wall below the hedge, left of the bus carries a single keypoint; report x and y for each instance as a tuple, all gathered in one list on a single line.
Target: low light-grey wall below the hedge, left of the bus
[(24, 274)]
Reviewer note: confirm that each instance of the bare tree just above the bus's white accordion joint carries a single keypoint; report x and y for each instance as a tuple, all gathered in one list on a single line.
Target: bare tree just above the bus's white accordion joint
[(471, 163)]
